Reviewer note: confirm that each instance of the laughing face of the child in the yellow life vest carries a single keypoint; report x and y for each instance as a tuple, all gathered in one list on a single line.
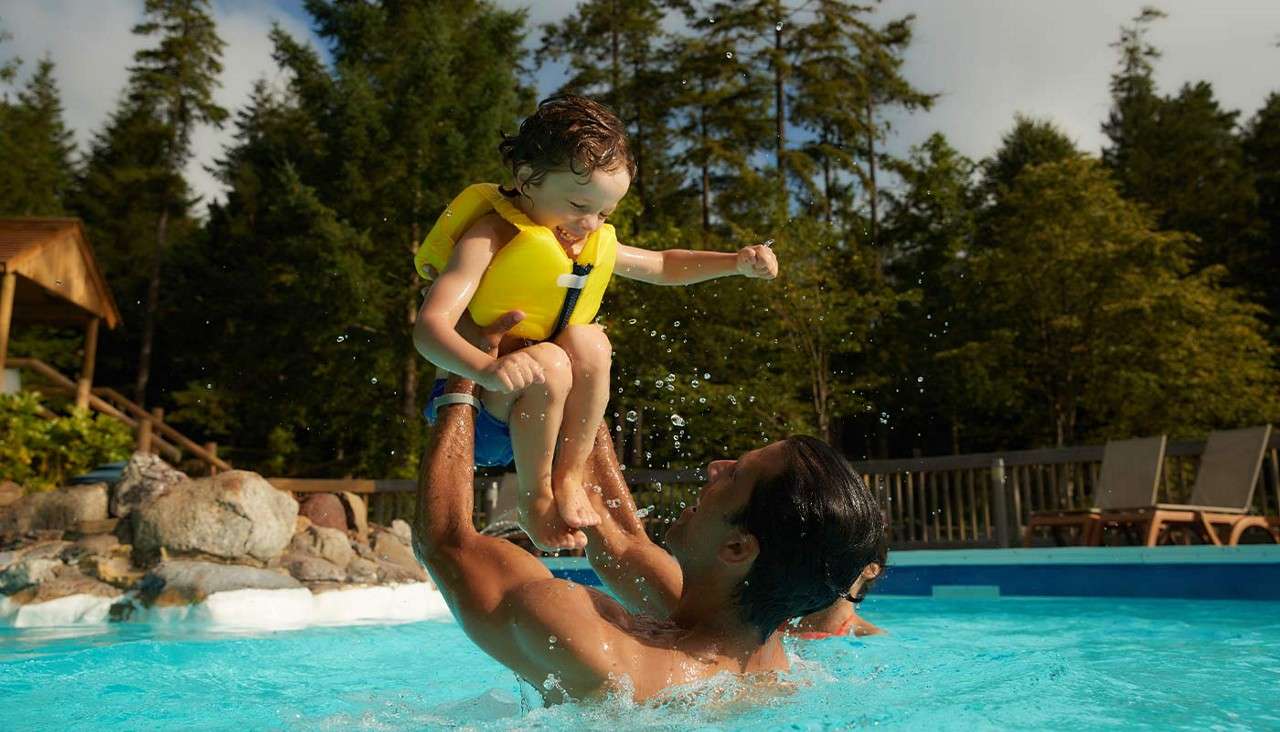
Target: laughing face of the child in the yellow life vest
[(574, 207)]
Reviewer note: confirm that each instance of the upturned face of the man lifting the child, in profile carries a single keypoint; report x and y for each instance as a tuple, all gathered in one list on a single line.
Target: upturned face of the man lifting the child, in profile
[(700, 533)]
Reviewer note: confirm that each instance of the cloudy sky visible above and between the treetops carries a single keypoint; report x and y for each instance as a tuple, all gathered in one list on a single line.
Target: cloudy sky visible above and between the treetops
[(989, 61)]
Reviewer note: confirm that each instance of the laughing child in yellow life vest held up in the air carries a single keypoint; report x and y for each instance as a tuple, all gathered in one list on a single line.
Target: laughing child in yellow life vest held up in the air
[(543, 248)]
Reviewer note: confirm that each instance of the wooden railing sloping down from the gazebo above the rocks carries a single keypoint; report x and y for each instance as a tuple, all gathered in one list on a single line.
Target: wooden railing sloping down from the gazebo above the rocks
[(150, 429)]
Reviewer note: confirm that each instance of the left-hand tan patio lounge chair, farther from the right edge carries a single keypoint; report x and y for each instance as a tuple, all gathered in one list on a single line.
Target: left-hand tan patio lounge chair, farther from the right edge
[(1131, 477)]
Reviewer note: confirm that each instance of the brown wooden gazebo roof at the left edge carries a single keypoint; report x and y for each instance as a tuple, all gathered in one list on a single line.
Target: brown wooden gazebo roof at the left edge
[(60, 281)]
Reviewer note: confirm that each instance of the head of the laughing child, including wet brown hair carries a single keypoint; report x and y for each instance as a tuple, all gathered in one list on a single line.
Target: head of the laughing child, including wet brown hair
[(572, 164)]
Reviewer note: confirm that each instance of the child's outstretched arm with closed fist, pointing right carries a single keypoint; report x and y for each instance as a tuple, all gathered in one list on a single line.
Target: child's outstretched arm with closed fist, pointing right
[(689, 267)]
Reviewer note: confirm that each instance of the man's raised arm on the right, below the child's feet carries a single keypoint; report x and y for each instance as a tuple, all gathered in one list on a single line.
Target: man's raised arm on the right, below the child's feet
[(639, 573)]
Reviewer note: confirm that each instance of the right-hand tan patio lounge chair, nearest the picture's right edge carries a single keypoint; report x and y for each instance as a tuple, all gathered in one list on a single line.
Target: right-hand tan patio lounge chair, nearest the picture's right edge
[(1220, 497)]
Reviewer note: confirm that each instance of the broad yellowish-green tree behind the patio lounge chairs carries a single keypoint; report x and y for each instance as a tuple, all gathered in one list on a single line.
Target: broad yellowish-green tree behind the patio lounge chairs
[(1098, 326)]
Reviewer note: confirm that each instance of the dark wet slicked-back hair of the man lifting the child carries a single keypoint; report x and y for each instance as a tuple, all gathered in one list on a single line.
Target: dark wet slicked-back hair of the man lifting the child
[(817, 527)]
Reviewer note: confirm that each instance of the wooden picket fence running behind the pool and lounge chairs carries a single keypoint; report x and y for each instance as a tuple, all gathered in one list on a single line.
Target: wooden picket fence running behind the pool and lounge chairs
[(968, 501)]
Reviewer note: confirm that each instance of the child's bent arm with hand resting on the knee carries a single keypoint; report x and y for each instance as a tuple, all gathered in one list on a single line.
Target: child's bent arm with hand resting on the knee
[(436, 333)]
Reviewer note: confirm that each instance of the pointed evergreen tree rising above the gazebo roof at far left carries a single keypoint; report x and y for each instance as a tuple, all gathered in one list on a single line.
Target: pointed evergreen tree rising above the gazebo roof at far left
[(35, 150)]
